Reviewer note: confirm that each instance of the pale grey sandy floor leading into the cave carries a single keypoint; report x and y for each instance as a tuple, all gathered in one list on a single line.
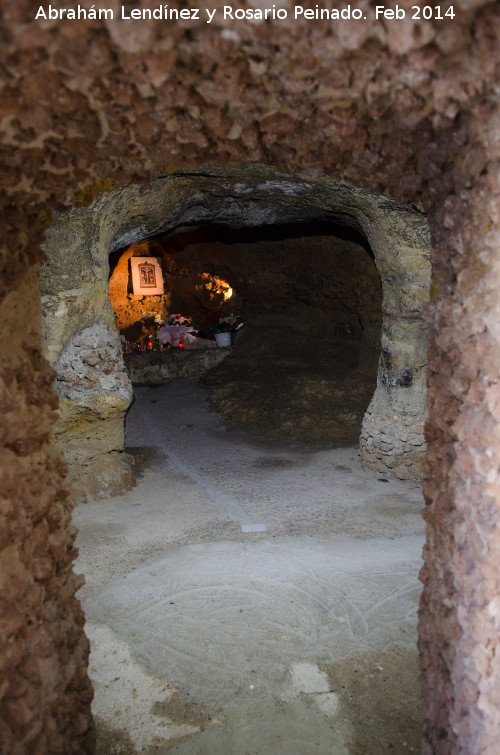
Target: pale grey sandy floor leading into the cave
[(249, 596)]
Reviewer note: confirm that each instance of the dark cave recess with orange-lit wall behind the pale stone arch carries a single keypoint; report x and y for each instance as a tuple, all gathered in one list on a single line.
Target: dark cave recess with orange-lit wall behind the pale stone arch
[(304, 365)]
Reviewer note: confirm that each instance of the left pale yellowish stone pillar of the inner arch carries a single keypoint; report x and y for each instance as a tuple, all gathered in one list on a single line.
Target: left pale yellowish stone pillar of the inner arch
[(82, 343)]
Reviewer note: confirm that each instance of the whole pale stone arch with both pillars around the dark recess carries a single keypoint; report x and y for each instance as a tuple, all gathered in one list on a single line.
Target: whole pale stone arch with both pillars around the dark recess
[(83, 345)]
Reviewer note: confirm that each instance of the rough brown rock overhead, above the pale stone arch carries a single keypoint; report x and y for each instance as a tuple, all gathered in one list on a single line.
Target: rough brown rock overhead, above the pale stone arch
[(375, 102)]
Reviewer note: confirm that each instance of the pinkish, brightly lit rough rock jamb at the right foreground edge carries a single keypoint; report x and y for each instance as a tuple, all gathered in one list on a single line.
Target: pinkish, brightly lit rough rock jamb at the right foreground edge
[(460, 607)]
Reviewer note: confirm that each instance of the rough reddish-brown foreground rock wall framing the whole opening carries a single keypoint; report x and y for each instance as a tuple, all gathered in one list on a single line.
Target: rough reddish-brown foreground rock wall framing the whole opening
[(408, 108)]
